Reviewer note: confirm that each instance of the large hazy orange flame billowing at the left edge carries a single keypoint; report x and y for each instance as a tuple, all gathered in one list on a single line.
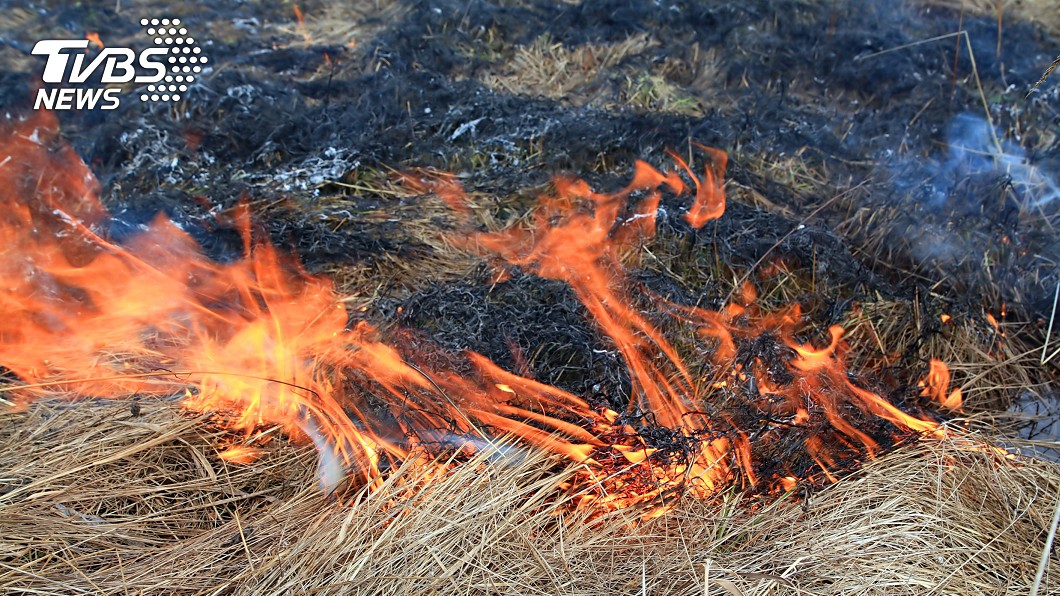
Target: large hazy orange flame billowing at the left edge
[(252, 337)]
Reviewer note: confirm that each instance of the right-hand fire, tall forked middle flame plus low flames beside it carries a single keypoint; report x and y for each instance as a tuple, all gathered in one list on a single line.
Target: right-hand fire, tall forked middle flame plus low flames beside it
[(579, 237)]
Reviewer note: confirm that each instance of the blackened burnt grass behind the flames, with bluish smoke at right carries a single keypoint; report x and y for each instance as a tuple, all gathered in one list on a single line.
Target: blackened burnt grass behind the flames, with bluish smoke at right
[(842, 124)]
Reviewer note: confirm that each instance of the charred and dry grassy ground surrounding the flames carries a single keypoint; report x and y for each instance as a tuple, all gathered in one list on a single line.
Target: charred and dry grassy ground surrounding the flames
[(888, 169)]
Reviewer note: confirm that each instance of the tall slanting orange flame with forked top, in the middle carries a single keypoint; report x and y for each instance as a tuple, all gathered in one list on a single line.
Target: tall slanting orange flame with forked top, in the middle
[(584, 250)]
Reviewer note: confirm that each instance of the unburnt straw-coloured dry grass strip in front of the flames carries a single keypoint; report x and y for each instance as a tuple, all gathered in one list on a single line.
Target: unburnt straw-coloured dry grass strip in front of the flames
[(94, 501)]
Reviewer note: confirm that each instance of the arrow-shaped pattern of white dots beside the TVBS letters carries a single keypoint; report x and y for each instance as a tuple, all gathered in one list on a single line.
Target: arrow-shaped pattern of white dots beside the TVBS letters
[(184, 58)]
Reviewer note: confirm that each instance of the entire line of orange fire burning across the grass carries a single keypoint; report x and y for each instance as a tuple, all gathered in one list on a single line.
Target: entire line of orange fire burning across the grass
[(259, 343)]
